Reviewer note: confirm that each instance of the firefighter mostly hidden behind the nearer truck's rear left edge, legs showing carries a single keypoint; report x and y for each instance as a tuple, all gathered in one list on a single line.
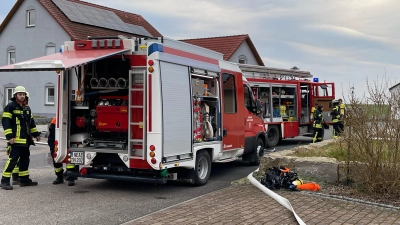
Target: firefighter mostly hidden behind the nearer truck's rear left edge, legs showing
[(58, 167)]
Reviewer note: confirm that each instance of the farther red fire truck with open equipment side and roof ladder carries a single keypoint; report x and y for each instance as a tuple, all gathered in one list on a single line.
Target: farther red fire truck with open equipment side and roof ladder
[(288, 98)]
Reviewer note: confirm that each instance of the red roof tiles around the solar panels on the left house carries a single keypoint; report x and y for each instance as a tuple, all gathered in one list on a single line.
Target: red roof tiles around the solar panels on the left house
[(78, 31)]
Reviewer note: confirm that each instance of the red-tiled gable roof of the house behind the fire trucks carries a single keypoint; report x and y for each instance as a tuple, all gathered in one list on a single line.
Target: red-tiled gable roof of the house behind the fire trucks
[(227, 45)]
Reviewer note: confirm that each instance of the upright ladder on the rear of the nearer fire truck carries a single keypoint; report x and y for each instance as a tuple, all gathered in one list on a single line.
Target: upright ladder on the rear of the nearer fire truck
[(137, 113)]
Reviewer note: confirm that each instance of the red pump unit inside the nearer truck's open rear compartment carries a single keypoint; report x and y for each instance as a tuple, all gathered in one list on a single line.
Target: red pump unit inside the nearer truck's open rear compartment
[(112, 114)]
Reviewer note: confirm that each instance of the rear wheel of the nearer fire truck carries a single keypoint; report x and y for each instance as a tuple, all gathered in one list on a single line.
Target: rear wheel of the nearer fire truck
[(202, 170)]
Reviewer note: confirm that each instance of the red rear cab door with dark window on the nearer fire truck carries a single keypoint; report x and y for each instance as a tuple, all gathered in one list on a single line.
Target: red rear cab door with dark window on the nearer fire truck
[(233, 118)]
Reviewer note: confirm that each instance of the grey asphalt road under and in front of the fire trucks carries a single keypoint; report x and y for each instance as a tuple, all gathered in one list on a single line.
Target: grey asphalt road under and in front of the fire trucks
[(104, 202)]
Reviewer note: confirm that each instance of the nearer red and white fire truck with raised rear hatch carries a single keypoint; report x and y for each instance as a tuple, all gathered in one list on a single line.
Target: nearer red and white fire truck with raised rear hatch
[(149, 110)]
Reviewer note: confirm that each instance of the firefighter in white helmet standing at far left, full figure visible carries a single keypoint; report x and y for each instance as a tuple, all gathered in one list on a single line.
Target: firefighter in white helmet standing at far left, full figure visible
[(19, 127)]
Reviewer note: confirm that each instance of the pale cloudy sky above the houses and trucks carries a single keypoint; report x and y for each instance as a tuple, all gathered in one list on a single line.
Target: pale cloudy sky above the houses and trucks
[(344, 41)]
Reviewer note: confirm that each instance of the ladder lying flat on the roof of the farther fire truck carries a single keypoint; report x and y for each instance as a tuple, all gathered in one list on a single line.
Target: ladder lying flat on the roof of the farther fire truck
[(255, 71)]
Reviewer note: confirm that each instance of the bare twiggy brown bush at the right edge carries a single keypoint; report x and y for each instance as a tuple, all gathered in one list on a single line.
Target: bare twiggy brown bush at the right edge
[(372, 139)]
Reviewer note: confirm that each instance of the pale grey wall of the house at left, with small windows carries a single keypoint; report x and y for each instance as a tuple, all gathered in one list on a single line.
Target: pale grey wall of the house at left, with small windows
[(30, 42)]
